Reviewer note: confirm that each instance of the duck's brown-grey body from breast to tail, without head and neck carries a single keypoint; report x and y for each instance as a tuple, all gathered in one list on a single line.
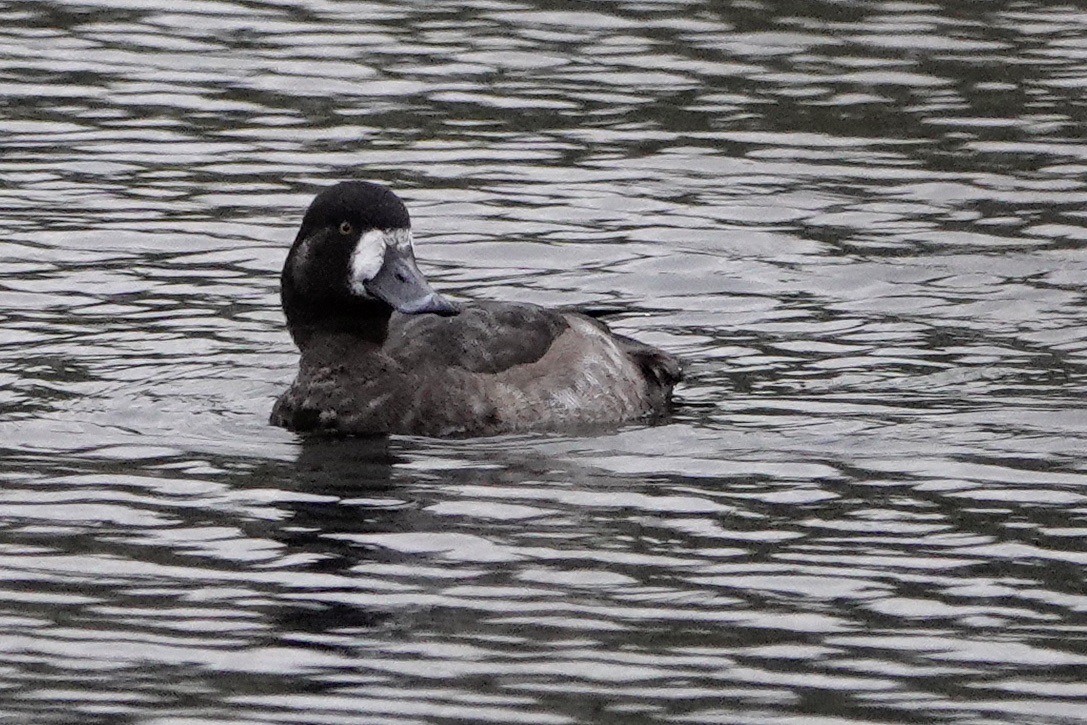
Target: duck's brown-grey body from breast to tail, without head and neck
[(495, 368)]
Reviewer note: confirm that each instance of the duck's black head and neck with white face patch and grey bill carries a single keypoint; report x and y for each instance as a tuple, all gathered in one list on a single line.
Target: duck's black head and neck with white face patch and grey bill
[(353, 264)]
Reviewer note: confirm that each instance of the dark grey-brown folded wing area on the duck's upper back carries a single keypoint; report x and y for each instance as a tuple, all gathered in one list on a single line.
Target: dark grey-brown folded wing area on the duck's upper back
[(485, 337)]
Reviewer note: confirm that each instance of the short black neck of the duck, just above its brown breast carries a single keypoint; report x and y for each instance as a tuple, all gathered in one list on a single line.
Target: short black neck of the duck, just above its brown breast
[(367, 321)]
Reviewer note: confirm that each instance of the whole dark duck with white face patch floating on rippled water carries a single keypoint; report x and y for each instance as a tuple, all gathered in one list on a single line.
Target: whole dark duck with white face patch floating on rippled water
[(384, 354)]
